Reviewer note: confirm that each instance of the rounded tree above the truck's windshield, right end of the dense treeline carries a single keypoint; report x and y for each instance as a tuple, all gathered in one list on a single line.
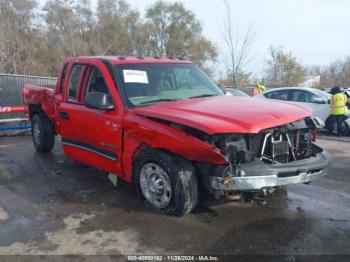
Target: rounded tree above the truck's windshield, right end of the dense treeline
[(175, 31)]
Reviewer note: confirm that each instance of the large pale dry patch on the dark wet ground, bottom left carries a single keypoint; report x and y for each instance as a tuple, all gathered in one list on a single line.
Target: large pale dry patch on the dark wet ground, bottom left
[(68, 241)]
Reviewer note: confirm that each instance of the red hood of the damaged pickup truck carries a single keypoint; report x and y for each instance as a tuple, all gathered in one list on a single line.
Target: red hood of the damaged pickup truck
[(225, 114)]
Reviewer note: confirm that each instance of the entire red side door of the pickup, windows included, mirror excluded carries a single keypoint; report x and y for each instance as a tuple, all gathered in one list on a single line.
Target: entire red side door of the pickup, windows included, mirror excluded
[(91, 136)]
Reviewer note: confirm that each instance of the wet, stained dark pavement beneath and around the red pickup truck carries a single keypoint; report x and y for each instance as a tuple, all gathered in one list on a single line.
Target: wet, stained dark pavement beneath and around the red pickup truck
[(53, 205)]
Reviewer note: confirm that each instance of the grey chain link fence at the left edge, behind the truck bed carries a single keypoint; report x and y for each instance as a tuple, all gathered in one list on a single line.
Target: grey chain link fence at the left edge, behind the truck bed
[(11, 87)]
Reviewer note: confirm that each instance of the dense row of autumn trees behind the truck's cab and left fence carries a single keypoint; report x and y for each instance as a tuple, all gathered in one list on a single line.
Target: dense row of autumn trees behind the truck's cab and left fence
[(35, 41)]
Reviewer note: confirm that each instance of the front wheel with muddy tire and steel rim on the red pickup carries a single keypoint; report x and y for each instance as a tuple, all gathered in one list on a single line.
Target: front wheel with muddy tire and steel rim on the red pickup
[(165, 182)]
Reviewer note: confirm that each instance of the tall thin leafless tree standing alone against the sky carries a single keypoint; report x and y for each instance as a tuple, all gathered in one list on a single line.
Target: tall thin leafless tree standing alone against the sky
[(238, 45)]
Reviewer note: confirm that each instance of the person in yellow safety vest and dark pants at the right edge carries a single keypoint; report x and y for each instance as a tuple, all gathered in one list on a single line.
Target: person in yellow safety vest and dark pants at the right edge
[(337, 108)]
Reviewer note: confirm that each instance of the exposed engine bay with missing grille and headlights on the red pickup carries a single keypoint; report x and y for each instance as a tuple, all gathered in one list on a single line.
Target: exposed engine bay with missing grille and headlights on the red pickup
[(277, 145)]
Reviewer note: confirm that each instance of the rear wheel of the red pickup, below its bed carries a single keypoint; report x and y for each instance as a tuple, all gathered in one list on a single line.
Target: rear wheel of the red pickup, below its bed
[(42, 133)]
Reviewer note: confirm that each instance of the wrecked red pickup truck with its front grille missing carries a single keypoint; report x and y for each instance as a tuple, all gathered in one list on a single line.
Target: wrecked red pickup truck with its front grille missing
[(163, 125)]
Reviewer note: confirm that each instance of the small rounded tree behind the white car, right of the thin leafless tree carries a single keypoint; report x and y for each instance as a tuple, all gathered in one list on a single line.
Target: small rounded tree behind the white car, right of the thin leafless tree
[(283, 69)]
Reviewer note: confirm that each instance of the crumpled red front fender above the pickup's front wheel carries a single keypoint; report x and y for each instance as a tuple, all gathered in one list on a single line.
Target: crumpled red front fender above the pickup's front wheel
[(141, 131)]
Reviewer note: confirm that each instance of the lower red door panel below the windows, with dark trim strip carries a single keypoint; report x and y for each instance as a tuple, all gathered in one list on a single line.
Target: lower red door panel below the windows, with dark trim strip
[(94, 137)]
